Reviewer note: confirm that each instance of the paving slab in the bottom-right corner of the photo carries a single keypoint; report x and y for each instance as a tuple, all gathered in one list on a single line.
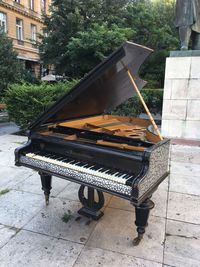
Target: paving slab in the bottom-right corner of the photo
[(182, 244)]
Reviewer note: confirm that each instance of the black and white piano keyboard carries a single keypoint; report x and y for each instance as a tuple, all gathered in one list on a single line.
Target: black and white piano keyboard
[(84, 167)]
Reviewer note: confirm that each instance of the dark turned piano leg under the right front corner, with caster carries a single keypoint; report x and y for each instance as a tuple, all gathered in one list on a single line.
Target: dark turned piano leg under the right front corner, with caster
[(142, 214)]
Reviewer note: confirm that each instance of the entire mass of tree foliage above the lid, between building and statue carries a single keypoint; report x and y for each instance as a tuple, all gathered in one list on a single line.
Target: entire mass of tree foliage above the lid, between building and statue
[(70, 47)]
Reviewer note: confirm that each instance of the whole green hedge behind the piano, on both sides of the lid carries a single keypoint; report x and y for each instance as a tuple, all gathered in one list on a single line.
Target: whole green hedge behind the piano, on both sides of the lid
[(26, 102)]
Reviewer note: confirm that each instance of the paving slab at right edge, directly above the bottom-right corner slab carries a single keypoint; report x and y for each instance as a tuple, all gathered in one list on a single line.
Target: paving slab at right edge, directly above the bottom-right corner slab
[(184, 207)]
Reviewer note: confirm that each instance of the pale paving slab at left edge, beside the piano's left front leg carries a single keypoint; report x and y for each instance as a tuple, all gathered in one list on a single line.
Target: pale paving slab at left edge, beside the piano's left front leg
[(17, 208)]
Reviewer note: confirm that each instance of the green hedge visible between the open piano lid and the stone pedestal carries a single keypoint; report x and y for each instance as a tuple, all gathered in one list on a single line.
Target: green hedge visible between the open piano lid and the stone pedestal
[(133, 106)]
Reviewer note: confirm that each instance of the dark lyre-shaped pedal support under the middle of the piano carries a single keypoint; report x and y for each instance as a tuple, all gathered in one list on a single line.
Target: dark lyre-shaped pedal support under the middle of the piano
[(91, 208)]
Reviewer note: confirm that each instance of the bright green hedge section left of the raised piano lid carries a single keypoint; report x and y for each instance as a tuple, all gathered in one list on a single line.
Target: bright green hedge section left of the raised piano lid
[(25, 102)]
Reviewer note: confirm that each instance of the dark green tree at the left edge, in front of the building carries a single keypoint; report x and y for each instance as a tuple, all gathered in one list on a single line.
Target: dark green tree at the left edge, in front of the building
[(10, 68)]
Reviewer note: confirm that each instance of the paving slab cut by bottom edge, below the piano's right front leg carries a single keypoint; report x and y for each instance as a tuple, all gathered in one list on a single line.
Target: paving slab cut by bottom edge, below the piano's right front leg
[(99, 257)]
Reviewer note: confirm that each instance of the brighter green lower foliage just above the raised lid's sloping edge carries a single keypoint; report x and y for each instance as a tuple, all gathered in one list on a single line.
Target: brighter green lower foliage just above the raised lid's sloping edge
[(94, 46)]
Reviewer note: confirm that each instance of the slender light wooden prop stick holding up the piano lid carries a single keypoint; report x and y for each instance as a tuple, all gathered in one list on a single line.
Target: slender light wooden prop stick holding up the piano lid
[(142, 100)]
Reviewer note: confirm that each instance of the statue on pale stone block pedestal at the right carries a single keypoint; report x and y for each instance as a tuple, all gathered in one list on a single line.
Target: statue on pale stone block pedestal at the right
[(181, 104)]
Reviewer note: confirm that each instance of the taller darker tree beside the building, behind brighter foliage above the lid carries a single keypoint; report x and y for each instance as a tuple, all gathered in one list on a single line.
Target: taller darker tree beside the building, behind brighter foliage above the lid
[(69, 17)]
